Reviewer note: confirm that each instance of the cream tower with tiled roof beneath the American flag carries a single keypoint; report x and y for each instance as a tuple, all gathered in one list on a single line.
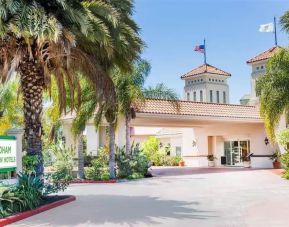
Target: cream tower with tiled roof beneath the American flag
[(206, 84)]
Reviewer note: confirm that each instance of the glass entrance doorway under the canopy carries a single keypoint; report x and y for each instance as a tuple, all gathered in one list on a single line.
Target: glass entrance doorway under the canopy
[(235, 150)]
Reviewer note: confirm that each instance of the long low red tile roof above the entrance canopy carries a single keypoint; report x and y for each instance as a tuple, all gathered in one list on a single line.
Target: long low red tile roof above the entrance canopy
[(157, 106)]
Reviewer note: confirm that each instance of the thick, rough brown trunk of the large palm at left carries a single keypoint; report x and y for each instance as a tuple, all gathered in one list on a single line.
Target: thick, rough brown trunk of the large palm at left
[(32, 84)]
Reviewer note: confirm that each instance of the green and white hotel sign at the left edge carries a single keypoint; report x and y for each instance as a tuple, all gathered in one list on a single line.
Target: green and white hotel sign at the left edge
[(7, 152)]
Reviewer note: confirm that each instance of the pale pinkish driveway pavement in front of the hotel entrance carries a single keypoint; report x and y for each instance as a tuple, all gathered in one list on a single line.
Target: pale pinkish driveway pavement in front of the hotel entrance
[(231, 197)]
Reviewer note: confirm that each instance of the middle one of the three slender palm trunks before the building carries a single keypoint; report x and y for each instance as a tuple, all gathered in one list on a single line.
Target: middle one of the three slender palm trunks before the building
[(112, 150)]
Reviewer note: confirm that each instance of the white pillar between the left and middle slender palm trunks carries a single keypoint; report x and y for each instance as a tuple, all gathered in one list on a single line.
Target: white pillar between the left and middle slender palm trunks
[(92, 138)]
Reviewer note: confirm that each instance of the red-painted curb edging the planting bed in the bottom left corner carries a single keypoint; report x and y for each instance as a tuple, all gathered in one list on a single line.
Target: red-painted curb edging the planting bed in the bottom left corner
[(29, 213)]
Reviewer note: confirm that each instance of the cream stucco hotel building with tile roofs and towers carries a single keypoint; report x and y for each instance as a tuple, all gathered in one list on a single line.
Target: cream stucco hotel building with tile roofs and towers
[(204, 124)]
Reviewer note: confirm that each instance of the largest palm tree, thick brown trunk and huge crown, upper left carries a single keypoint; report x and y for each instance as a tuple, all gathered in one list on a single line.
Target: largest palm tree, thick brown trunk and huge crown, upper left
[(44, 39)]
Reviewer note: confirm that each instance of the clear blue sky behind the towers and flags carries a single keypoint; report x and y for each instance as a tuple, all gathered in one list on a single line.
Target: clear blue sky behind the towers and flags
[(171, 29)]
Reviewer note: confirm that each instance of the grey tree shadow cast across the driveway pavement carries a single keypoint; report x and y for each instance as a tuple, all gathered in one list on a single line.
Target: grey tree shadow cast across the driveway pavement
[(92, 210)]
